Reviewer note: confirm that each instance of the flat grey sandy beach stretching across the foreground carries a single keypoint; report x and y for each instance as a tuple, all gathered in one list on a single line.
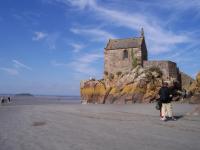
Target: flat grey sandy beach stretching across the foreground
[(72, 126)]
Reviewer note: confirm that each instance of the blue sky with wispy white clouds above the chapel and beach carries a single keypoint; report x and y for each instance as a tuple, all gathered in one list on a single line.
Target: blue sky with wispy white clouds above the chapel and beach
[(49, 46)]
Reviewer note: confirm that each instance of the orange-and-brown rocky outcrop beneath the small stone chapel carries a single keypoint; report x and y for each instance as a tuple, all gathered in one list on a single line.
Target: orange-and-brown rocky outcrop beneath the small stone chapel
[(139, 85)]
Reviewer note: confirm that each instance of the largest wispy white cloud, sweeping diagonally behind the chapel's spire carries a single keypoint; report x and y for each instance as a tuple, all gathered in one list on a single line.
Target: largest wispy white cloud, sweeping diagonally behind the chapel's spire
[(159, 39)]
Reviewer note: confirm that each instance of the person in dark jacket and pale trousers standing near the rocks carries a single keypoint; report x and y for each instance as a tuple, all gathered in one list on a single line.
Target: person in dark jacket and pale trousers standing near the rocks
[(166, 98)]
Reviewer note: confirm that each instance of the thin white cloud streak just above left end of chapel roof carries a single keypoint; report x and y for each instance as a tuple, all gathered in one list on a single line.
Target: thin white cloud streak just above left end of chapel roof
[(95, 34)]
